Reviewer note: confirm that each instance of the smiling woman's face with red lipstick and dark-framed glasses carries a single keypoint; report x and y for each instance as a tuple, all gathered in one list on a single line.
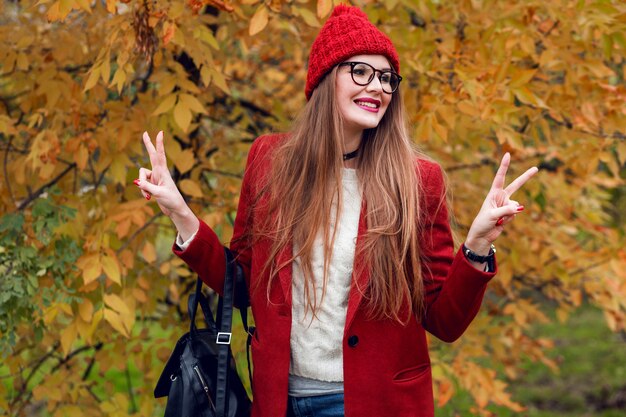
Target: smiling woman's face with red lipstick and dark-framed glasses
[(362, 107)]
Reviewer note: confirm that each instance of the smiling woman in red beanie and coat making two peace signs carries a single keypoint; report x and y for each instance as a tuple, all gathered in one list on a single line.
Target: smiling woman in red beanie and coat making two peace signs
[(342, 232)]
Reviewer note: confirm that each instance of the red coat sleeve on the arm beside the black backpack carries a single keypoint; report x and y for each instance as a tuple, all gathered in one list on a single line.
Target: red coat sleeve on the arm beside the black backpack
[(205, 254)]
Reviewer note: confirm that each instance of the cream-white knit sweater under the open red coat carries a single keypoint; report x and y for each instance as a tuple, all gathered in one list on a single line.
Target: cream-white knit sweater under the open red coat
[(316, 344)]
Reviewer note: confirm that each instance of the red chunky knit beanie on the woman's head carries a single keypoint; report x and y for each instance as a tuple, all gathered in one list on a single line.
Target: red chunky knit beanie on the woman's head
[(346, 33)]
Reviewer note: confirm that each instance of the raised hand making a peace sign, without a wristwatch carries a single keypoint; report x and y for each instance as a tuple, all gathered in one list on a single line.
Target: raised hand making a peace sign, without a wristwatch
[(158, 183)]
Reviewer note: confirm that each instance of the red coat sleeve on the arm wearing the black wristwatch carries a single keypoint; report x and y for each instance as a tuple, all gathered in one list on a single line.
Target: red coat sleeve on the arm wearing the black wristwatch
[(453, 288)]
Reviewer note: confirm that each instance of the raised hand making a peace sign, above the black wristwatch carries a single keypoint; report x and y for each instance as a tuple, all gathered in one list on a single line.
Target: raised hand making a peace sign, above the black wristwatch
[(497, 210)]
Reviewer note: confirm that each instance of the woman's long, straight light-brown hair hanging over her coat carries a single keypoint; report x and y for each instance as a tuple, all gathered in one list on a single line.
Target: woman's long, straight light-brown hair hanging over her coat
[(304, 180)]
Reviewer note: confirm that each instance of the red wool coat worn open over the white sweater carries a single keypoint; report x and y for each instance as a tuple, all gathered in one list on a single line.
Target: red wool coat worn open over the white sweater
[(386, 365)]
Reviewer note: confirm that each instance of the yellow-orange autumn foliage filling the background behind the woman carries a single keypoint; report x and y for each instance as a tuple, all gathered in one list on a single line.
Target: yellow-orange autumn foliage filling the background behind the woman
[(91, 298)]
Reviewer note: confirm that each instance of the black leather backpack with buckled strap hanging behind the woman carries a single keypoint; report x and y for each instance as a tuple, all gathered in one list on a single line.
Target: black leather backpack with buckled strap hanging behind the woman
[(200, 378)]
